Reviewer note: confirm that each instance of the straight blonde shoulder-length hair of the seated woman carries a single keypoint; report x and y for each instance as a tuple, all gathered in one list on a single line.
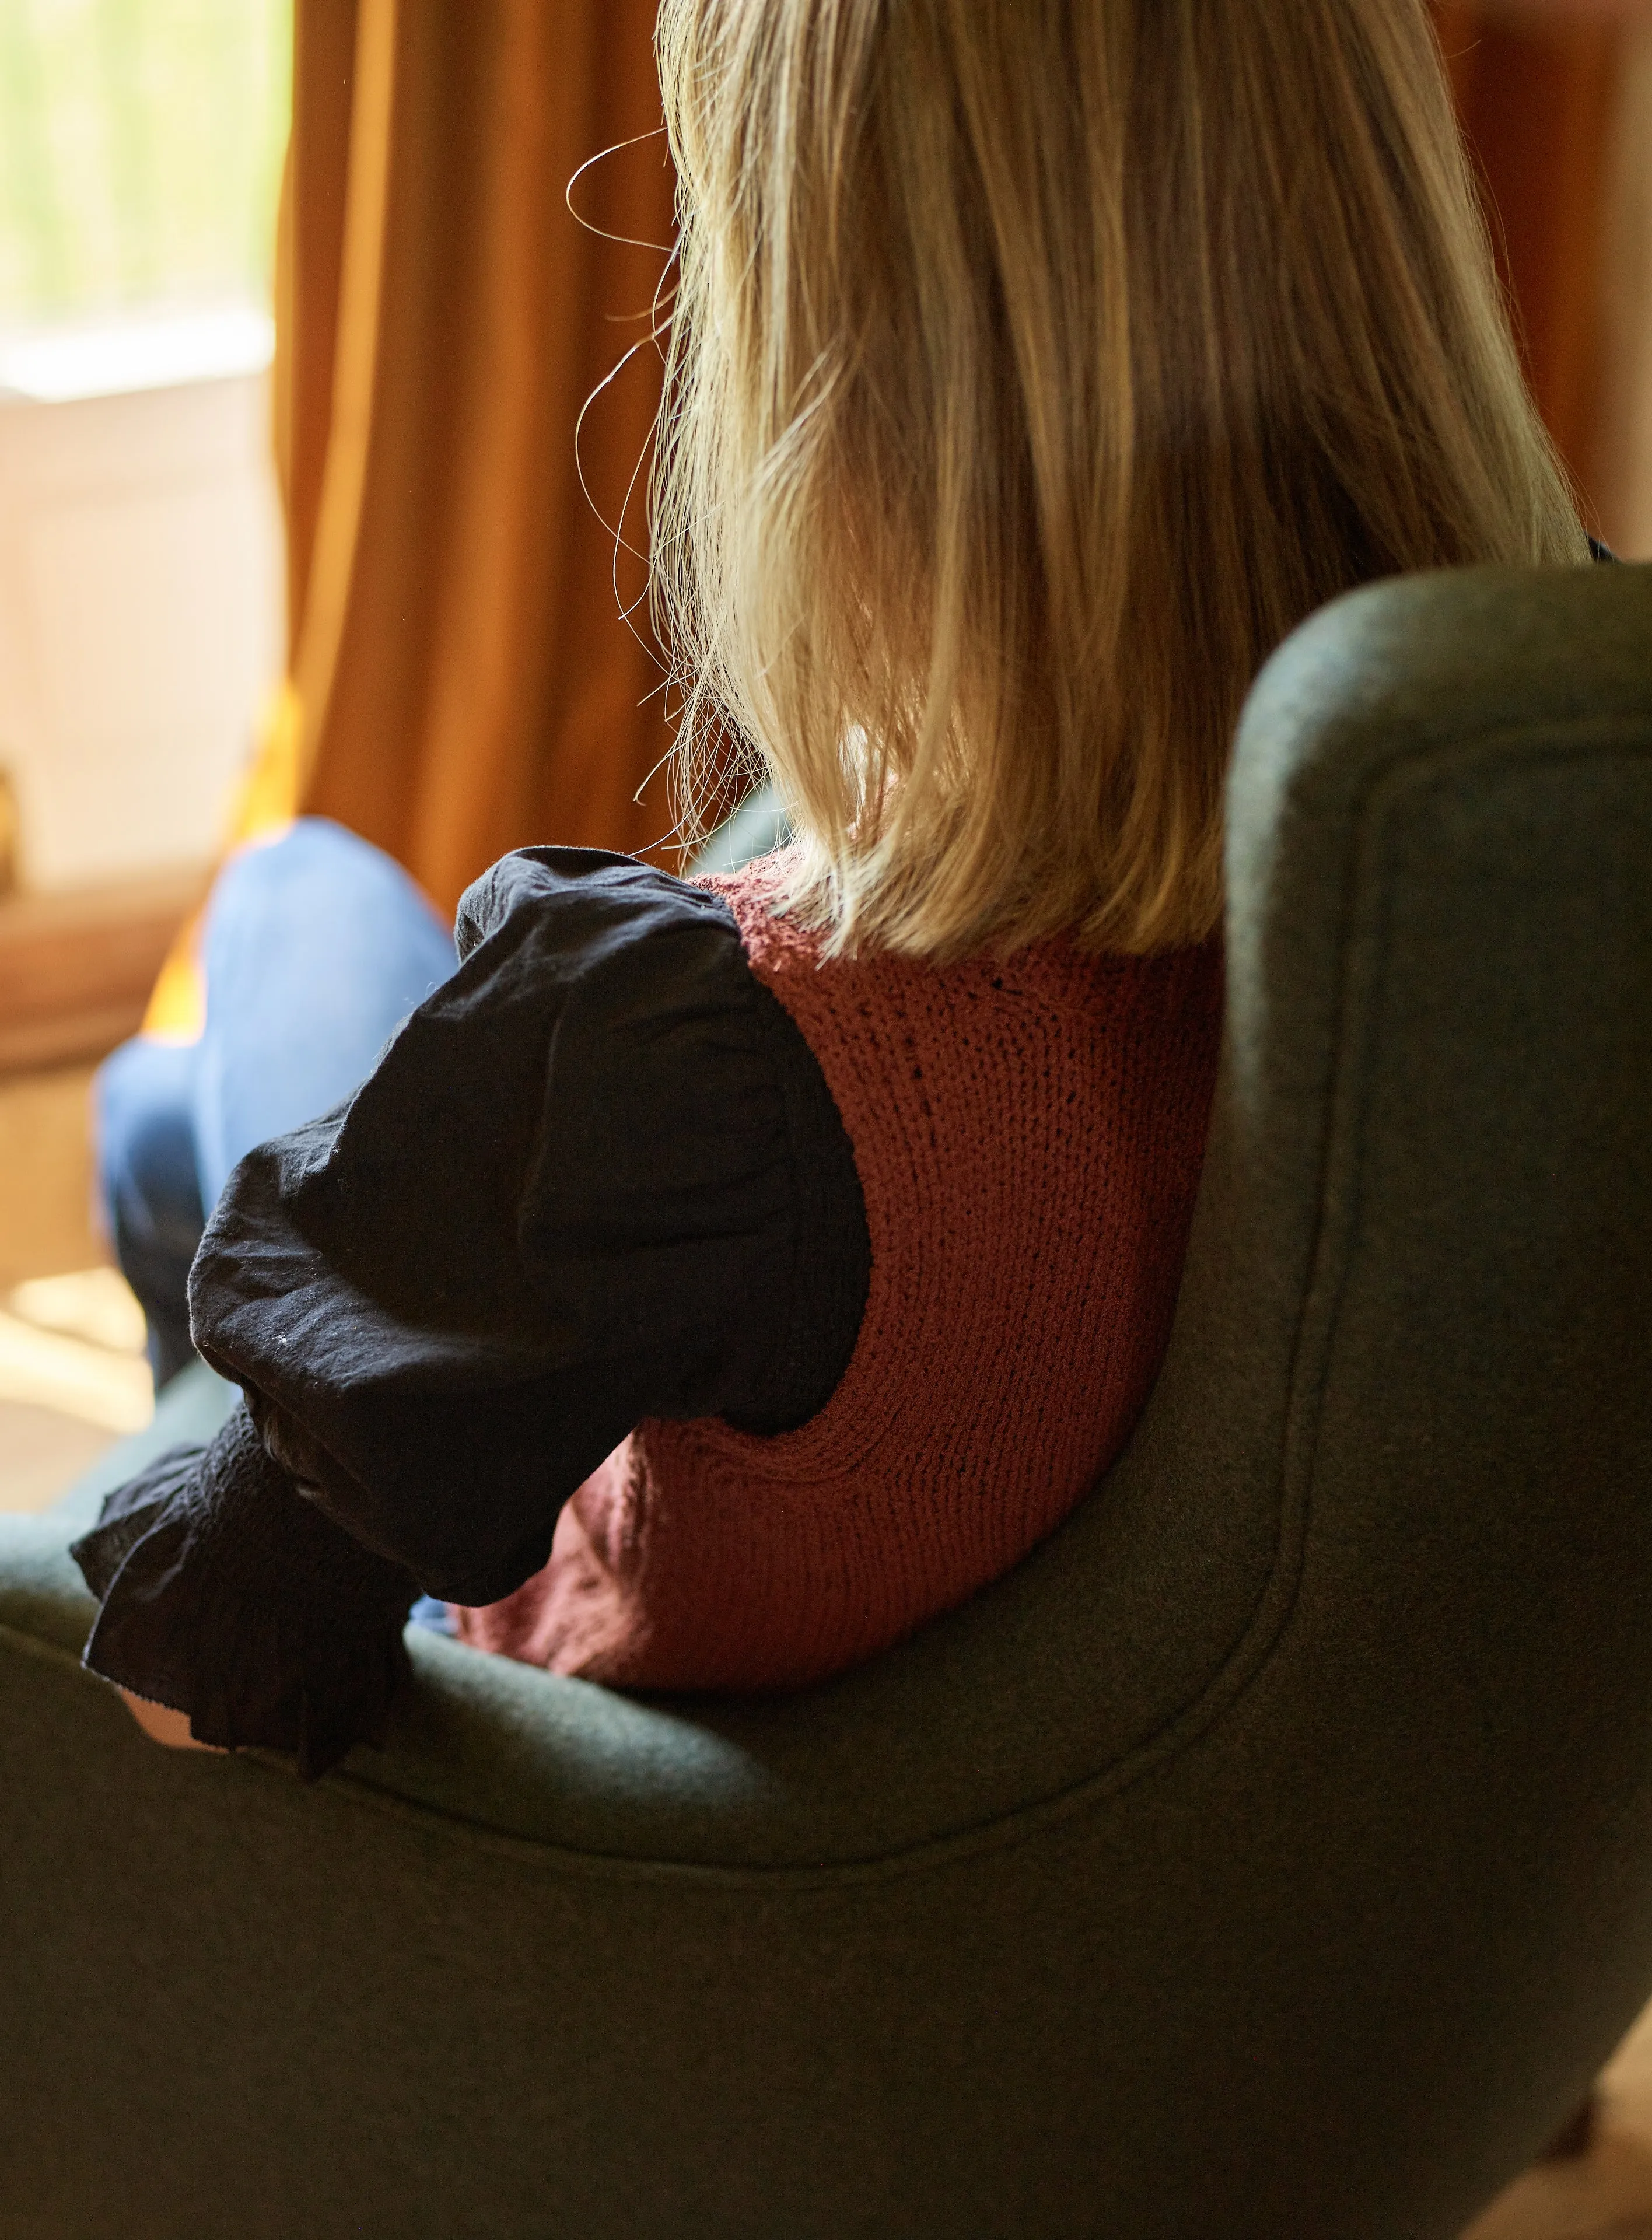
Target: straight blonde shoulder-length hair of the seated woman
[(1035, 368)]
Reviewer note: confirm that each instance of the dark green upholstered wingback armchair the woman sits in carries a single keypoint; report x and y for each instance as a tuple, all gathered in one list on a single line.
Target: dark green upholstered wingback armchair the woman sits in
[(1268, 1856)]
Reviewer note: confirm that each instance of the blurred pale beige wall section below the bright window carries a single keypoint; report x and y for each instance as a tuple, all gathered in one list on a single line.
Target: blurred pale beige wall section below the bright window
[(140, 619)]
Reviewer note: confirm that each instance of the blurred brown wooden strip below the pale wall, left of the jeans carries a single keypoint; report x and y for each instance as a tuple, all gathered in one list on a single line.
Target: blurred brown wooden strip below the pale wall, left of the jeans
[(77, 969)]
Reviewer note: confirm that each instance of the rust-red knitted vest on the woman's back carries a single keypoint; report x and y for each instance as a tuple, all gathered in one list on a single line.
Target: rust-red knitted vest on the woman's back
[(1029, 1137)]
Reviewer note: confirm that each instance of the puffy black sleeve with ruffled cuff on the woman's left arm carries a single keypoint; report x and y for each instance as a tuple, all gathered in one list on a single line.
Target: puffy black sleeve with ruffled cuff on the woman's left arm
[(597, 1177)]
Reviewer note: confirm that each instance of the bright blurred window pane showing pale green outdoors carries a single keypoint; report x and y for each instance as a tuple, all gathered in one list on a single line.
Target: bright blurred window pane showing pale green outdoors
[(140, 153)]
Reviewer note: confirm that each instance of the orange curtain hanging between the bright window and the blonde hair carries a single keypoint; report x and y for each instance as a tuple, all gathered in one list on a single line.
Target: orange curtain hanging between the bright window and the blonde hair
[(462, 680)]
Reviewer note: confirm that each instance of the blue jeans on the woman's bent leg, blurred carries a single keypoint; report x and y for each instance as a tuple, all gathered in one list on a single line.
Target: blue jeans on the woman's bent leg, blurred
[(315, 951)]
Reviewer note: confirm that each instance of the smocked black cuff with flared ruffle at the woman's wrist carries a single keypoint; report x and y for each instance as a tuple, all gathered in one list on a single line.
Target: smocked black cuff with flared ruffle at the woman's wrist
[(232, 1598)]
